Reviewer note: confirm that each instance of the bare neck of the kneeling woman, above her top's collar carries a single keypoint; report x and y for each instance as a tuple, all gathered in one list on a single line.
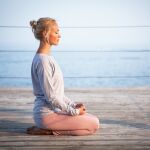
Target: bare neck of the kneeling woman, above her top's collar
[(44, 48)]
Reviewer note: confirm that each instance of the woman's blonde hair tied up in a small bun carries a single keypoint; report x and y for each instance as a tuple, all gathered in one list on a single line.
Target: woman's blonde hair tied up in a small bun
[(43, 24)]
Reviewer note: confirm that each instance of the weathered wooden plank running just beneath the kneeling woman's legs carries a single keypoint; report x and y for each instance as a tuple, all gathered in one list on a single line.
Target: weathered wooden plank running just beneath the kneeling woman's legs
[(94, 137)]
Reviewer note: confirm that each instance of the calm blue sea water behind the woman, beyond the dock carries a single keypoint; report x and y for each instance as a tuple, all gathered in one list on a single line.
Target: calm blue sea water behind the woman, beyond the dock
[(81, 69)]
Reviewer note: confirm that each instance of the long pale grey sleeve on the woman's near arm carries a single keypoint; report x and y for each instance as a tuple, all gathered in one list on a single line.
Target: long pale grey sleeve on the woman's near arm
[(45, 75)]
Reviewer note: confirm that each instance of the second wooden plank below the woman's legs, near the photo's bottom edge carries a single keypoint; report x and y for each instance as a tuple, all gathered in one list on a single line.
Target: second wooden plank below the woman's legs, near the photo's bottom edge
[(79, 142)]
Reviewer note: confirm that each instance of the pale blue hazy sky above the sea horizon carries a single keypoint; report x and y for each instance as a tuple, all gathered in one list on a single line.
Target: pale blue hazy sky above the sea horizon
[(78, 13)]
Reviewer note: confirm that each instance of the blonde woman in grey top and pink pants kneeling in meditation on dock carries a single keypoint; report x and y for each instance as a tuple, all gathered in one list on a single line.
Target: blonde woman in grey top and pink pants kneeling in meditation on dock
[(54, 113)]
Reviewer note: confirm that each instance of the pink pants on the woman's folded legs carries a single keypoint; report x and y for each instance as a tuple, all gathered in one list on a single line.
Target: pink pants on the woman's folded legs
[(71, 125)]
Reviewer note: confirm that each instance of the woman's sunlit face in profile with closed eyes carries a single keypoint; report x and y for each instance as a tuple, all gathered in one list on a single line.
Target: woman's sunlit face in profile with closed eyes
[(54, 35)]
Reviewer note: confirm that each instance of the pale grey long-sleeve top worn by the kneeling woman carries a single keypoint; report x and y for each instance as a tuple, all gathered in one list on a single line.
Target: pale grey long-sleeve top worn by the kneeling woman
[(48, 87)]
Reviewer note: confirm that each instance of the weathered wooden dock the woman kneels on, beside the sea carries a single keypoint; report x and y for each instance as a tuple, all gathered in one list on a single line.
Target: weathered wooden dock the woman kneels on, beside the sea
[(124, 117)]
